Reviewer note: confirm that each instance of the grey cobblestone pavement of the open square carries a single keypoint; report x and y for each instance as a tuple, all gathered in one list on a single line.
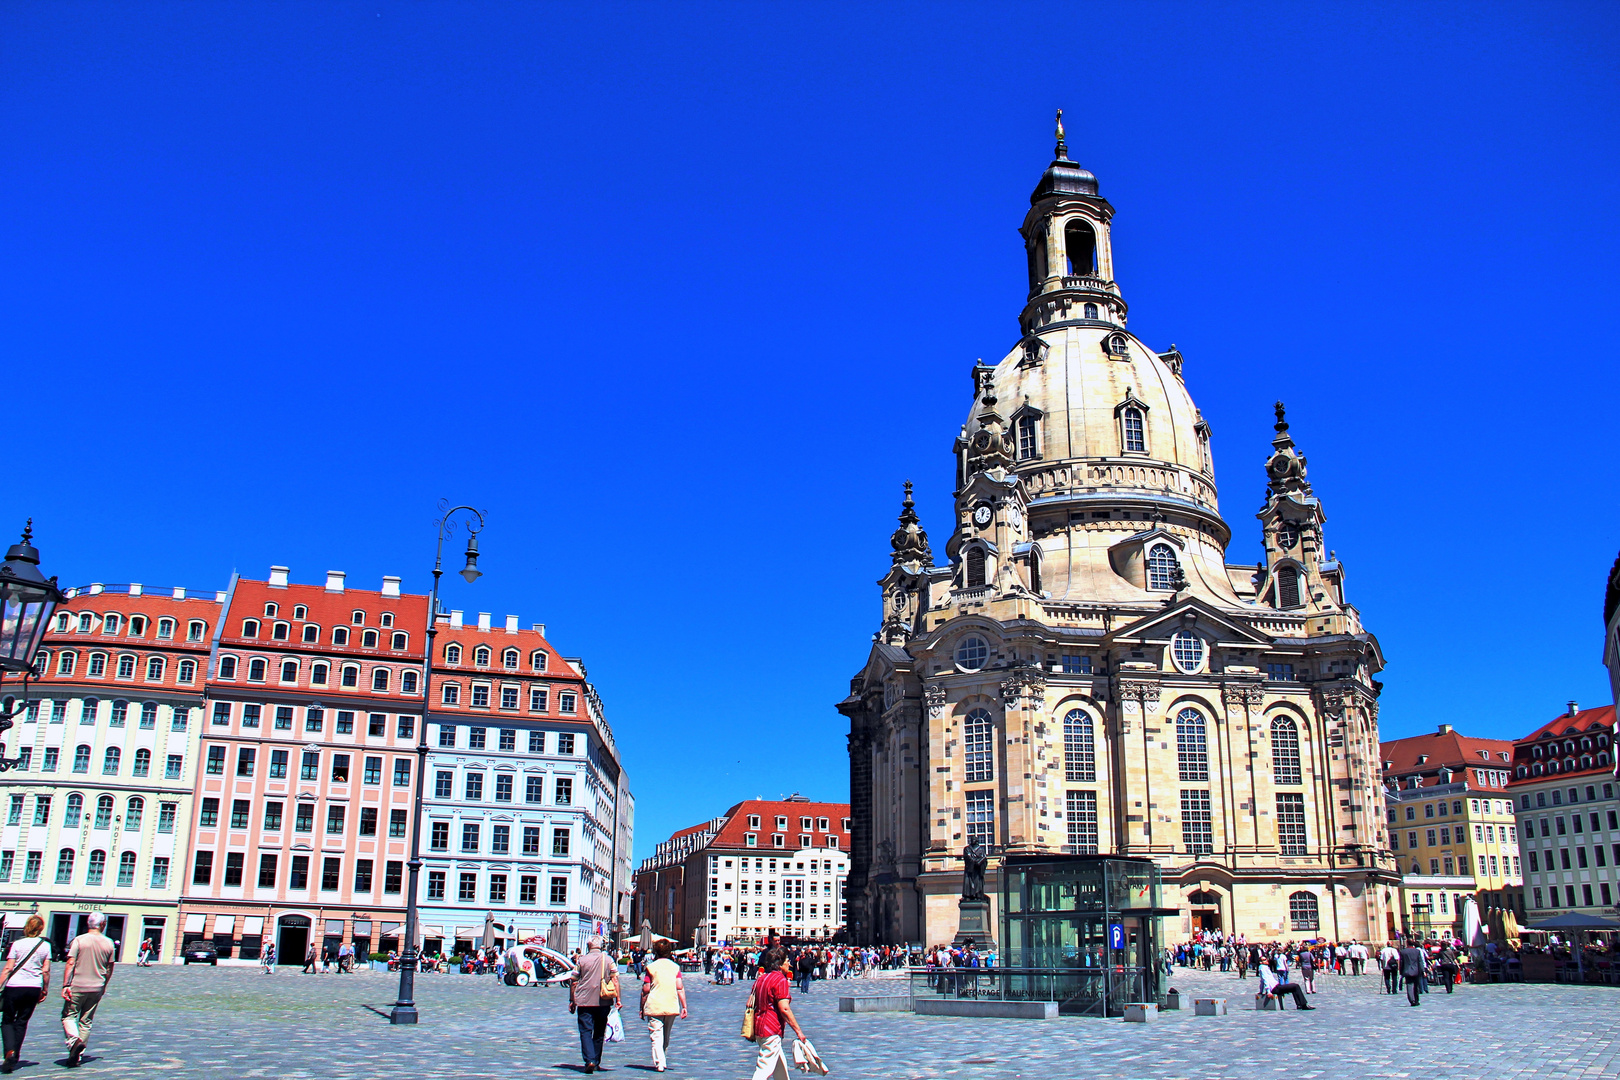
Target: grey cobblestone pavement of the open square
[(234, 1023)]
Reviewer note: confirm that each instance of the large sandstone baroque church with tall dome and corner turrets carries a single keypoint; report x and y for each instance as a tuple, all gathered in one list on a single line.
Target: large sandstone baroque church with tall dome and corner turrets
[(1085, 673)]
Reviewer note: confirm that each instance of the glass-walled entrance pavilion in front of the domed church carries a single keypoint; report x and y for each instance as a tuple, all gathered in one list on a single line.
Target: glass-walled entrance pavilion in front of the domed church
[(1083, 930)]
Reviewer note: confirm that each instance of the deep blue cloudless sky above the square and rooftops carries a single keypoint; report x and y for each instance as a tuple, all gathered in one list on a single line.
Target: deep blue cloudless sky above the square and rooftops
[(683, 294)]
